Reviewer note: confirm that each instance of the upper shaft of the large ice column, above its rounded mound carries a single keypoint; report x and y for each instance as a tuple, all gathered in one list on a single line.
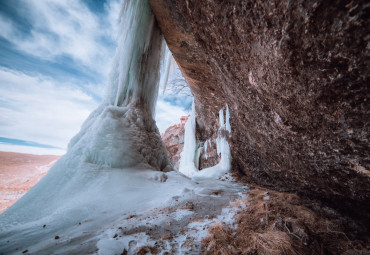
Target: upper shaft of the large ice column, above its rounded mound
[(138, 52)]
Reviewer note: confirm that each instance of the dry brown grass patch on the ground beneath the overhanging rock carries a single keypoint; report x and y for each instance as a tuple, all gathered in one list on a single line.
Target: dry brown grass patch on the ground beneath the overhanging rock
[(285, 224)]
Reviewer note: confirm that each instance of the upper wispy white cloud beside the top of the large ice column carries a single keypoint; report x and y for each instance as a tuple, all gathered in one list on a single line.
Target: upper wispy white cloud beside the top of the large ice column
[(66, 28)]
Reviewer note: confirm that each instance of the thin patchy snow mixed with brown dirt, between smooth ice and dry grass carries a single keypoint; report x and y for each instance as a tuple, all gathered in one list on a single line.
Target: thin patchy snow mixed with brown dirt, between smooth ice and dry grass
[(184, 228)]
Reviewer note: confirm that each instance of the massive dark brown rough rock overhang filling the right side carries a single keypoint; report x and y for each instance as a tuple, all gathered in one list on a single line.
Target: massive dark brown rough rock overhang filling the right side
[(295, 75)]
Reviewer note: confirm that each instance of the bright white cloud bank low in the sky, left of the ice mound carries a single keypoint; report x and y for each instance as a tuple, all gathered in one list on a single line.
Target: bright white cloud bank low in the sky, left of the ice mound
[(40, 109)]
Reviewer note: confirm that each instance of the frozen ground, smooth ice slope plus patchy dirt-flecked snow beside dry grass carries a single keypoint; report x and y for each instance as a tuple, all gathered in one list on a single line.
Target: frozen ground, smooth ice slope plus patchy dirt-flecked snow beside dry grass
[(124, 210)]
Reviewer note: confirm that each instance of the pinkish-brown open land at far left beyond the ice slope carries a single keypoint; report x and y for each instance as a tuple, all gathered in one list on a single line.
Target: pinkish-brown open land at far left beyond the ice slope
[(19, 172)]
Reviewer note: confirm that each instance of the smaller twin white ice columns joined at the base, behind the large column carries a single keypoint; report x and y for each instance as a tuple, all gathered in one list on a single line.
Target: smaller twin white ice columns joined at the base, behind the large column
[(189, 162)]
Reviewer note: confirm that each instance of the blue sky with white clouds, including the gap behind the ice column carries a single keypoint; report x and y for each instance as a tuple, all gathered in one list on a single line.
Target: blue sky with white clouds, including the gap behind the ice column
[(55, 58)]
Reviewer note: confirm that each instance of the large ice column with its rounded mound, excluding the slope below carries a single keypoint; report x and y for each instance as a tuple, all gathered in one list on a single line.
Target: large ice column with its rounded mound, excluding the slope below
[(122, 132)]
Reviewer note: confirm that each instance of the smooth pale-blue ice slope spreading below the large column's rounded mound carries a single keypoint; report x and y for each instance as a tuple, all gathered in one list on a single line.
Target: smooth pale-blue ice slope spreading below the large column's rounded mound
[(89, 202)]
